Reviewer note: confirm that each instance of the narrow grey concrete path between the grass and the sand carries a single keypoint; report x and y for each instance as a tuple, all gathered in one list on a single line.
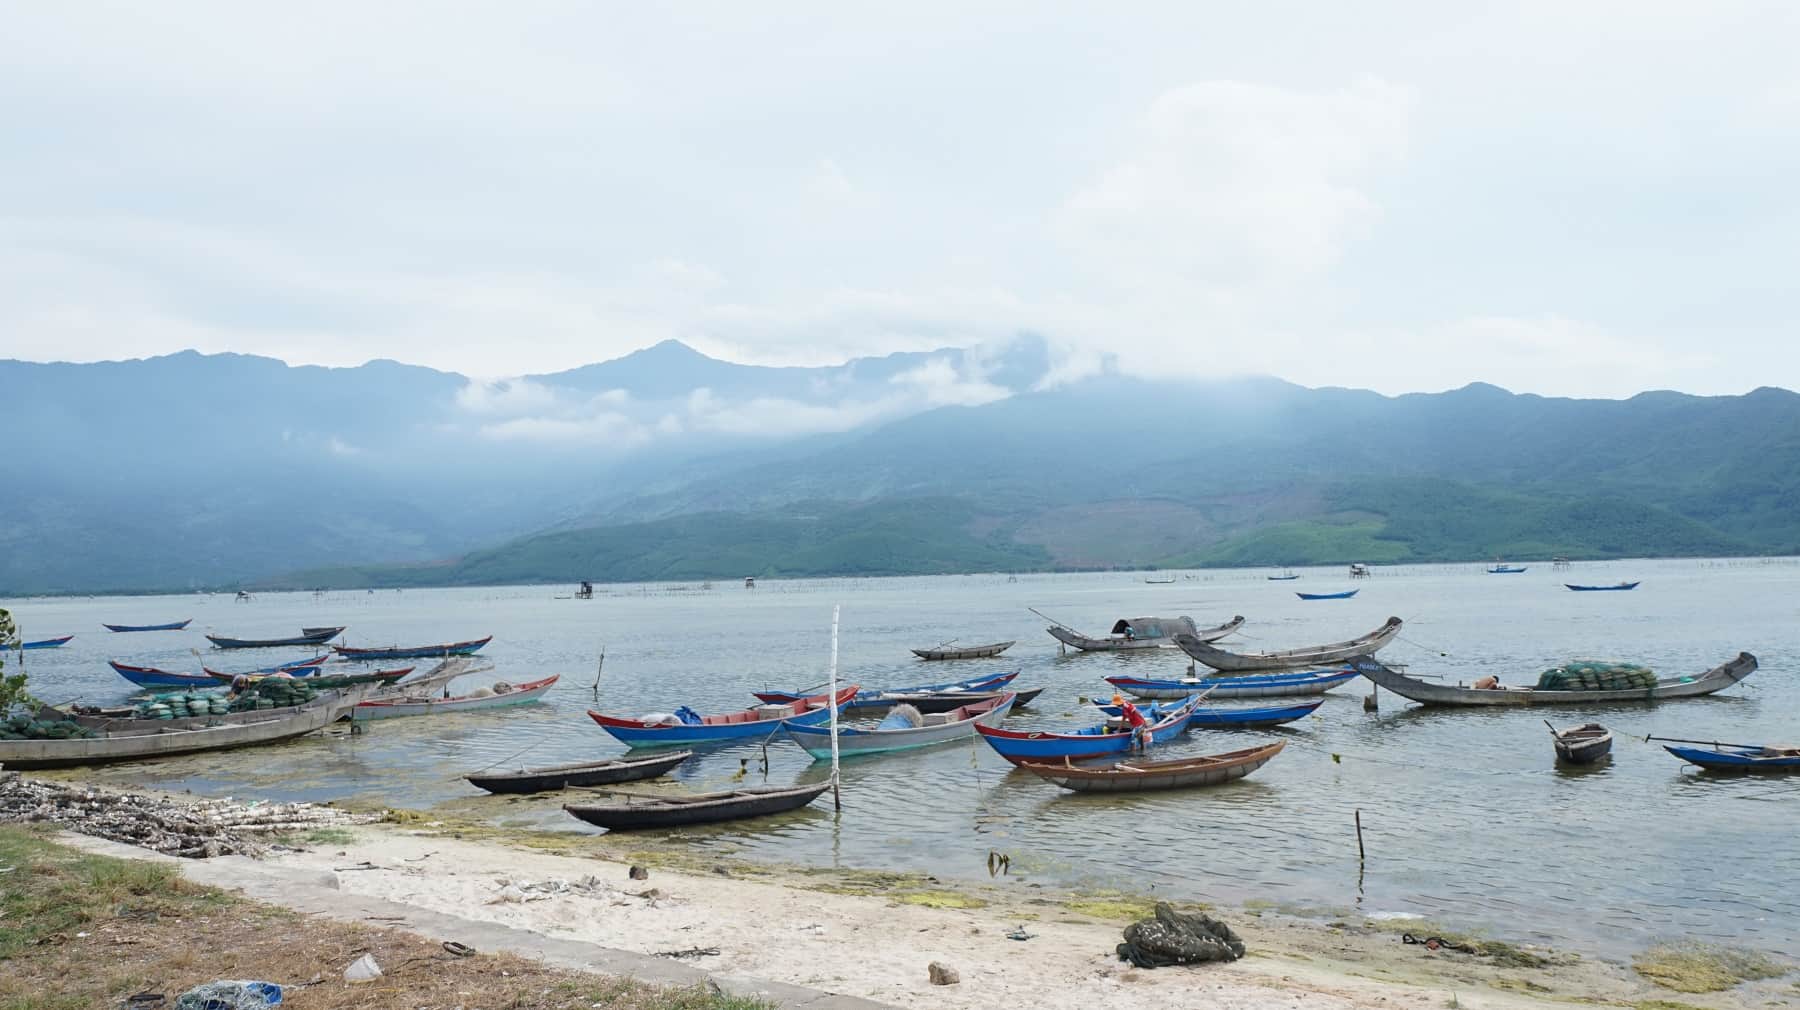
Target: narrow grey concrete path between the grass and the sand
[(318, 894)]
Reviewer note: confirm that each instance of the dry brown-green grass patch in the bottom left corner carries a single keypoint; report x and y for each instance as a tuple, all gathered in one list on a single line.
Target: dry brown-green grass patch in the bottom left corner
[(82, 932)]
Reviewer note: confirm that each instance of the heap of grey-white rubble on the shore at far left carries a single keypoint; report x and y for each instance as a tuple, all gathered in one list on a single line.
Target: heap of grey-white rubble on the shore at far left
[(192, 829)]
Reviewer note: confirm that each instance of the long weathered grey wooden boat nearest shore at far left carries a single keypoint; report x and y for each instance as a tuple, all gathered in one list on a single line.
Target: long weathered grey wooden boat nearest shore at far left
[(145, 739)]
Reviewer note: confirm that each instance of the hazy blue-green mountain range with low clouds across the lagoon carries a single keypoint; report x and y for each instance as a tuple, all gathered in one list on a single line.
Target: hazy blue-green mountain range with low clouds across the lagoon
[(220, 471)]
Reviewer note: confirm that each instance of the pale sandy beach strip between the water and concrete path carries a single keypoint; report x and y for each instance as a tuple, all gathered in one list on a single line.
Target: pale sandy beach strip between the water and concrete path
[(874, 935)]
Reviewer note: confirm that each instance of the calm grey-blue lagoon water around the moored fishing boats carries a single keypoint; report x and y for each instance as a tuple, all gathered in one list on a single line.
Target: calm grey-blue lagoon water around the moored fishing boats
[(1466, 816)]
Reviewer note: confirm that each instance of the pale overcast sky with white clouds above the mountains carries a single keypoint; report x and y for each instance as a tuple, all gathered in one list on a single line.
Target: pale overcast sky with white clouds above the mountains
[(1570, 199)]
